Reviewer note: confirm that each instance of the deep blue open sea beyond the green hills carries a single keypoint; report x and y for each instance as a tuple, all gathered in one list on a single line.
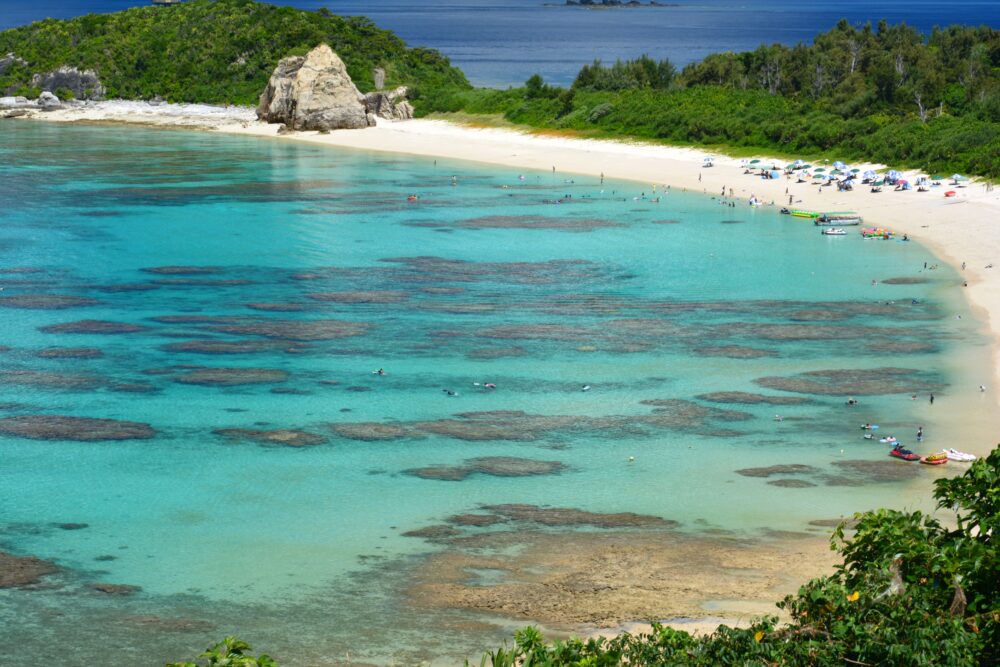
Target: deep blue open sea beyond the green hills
[(503, 42)]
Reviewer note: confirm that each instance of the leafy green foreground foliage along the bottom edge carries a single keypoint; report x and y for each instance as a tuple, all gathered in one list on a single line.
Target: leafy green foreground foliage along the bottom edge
[(912, 590)]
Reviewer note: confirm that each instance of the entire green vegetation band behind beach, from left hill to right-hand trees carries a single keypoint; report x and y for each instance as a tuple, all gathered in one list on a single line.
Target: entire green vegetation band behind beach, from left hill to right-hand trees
[(886, 93)]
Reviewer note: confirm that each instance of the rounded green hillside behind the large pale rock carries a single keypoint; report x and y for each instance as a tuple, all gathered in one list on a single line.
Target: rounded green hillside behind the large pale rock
[(212, 51)]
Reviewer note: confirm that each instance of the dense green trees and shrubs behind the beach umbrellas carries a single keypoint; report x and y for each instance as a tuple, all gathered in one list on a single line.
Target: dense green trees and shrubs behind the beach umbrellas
[(887, 93)]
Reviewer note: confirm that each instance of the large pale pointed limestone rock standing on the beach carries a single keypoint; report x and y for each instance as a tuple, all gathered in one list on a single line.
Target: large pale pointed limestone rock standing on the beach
[(314, 92)]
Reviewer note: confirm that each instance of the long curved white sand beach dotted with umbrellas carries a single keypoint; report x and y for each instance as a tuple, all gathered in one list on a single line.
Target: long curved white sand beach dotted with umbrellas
[(963, 230)]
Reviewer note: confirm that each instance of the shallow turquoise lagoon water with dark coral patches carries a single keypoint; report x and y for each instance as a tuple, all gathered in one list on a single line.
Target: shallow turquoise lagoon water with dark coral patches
[(542, 285)]
